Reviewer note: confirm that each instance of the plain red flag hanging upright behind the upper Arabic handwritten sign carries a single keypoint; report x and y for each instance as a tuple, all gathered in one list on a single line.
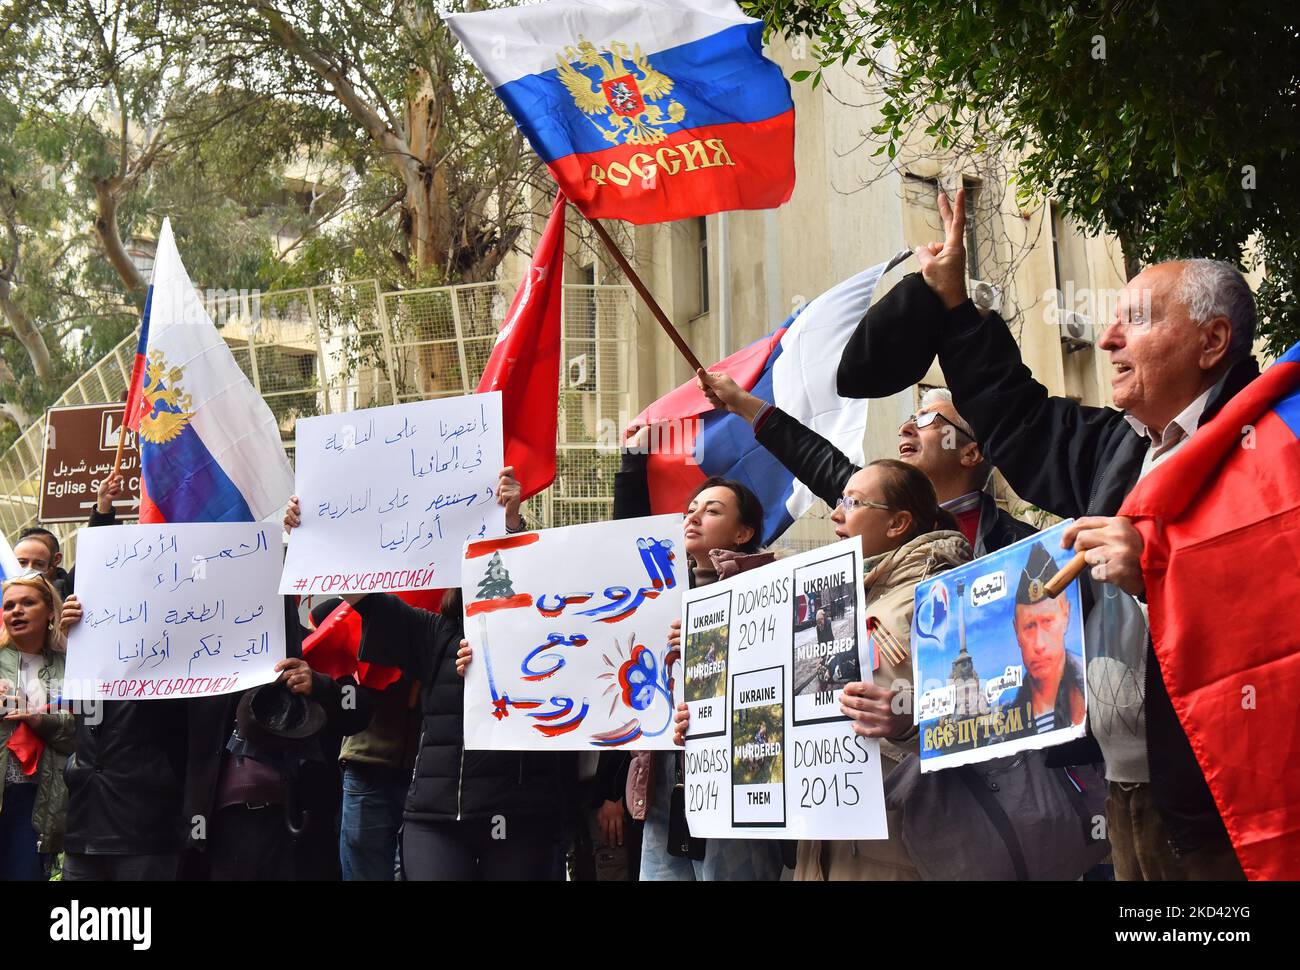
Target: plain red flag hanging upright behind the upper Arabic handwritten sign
[(526, 363)]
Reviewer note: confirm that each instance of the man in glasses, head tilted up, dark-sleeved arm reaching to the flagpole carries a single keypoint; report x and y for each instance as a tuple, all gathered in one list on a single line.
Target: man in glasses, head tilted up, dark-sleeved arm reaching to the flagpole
[(937, 440)]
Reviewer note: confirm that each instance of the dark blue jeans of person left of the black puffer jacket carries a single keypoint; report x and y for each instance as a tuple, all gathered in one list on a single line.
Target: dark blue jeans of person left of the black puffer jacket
[(372, 816)]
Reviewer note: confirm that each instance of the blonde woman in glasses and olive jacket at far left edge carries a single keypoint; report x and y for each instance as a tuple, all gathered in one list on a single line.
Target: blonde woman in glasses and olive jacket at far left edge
[(36, 734)]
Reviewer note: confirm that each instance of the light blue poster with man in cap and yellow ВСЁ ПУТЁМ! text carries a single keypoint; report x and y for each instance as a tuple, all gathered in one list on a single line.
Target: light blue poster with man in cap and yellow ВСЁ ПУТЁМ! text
[(999, 662)]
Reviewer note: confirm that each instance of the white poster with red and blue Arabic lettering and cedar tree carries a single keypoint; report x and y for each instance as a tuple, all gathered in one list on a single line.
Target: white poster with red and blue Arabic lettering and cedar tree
[(570, 636)]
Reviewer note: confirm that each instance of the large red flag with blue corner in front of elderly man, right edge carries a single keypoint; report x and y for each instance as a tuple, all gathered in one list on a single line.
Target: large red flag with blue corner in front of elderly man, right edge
[(1221, 560)]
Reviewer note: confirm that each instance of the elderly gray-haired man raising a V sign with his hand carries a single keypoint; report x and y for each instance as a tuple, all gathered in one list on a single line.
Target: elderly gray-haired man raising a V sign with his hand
[(1180, 348)]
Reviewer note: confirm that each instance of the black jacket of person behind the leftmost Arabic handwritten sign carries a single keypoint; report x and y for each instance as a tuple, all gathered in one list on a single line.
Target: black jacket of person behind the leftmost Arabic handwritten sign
[(125, 778)]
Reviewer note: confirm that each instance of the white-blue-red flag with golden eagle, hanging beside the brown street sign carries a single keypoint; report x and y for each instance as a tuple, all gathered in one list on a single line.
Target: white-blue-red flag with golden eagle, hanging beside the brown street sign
[(210, 447)]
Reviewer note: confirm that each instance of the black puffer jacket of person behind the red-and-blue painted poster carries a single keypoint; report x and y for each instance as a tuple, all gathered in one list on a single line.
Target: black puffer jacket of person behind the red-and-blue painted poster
[(452, 783)]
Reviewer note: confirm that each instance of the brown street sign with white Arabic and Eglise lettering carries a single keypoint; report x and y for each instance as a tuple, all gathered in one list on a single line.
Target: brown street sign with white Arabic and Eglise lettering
[(81, 443)]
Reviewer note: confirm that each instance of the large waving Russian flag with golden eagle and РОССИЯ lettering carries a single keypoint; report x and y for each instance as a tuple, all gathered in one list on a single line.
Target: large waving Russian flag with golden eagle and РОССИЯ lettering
[(644, 110)]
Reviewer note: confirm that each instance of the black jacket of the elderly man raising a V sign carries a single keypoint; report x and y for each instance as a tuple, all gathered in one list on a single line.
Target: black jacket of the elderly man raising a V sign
[(1072, 461)]
